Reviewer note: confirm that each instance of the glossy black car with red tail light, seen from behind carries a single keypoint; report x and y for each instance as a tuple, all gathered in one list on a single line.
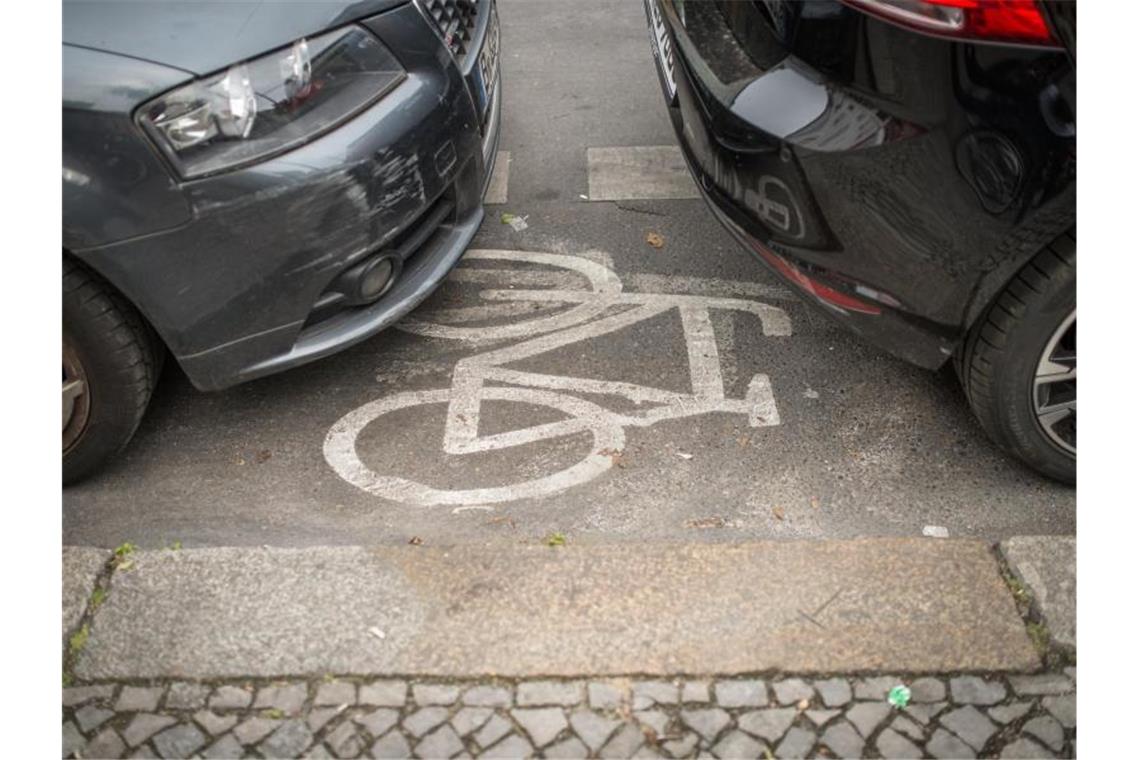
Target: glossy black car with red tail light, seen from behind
[(909, 167)]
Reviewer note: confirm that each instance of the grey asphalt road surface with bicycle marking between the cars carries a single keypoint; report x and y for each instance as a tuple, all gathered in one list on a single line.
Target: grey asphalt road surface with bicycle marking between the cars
[(671, 394)]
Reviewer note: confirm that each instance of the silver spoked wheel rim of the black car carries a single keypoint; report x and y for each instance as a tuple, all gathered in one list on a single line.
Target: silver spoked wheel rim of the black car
[(1055, 387)]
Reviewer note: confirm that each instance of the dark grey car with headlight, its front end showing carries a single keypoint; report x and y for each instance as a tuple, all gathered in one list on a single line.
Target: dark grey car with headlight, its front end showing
[(254, 186)]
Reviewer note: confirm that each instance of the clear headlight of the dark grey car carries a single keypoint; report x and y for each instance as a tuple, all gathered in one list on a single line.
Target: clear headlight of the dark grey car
[(271, 104)]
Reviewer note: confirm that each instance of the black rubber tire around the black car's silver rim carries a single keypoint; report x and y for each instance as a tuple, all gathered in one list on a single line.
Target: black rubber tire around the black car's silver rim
[(999, 361)]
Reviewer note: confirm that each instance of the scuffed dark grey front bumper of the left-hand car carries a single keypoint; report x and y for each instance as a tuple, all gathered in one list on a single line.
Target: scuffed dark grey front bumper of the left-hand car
[(235, 292)]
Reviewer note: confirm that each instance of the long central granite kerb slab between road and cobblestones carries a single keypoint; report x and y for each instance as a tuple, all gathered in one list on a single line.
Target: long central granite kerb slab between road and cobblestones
[(808, 607)]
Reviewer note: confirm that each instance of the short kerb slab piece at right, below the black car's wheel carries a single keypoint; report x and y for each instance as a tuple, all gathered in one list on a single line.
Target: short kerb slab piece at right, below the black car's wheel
[(1048, 566)]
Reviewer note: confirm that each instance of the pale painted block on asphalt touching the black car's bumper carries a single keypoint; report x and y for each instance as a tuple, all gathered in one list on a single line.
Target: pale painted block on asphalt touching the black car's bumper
[(639, 174)]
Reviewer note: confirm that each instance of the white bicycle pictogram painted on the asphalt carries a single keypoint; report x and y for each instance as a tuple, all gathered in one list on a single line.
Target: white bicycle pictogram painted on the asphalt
[(587, 318)]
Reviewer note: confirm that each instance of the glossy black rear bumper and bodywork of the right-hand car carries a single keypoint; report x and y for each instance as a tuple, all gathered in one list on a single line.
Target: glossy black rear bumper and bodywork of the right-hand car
[(859, 198)]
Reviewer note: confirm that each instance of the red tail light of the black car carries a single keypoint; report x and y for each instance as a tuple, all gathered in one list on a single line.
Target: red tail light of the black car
[(1020, 22)]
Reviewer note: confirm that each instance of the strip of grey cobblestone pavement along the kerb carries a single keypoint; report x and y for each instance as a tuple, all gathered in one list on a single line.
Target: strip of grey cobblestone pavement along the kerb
[(955, 717)]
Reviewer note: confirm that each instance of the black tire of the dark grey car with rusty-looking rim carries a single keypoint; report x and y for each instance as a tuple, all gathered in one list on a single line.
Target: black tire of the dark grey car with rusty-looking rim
[(119, 359)]
